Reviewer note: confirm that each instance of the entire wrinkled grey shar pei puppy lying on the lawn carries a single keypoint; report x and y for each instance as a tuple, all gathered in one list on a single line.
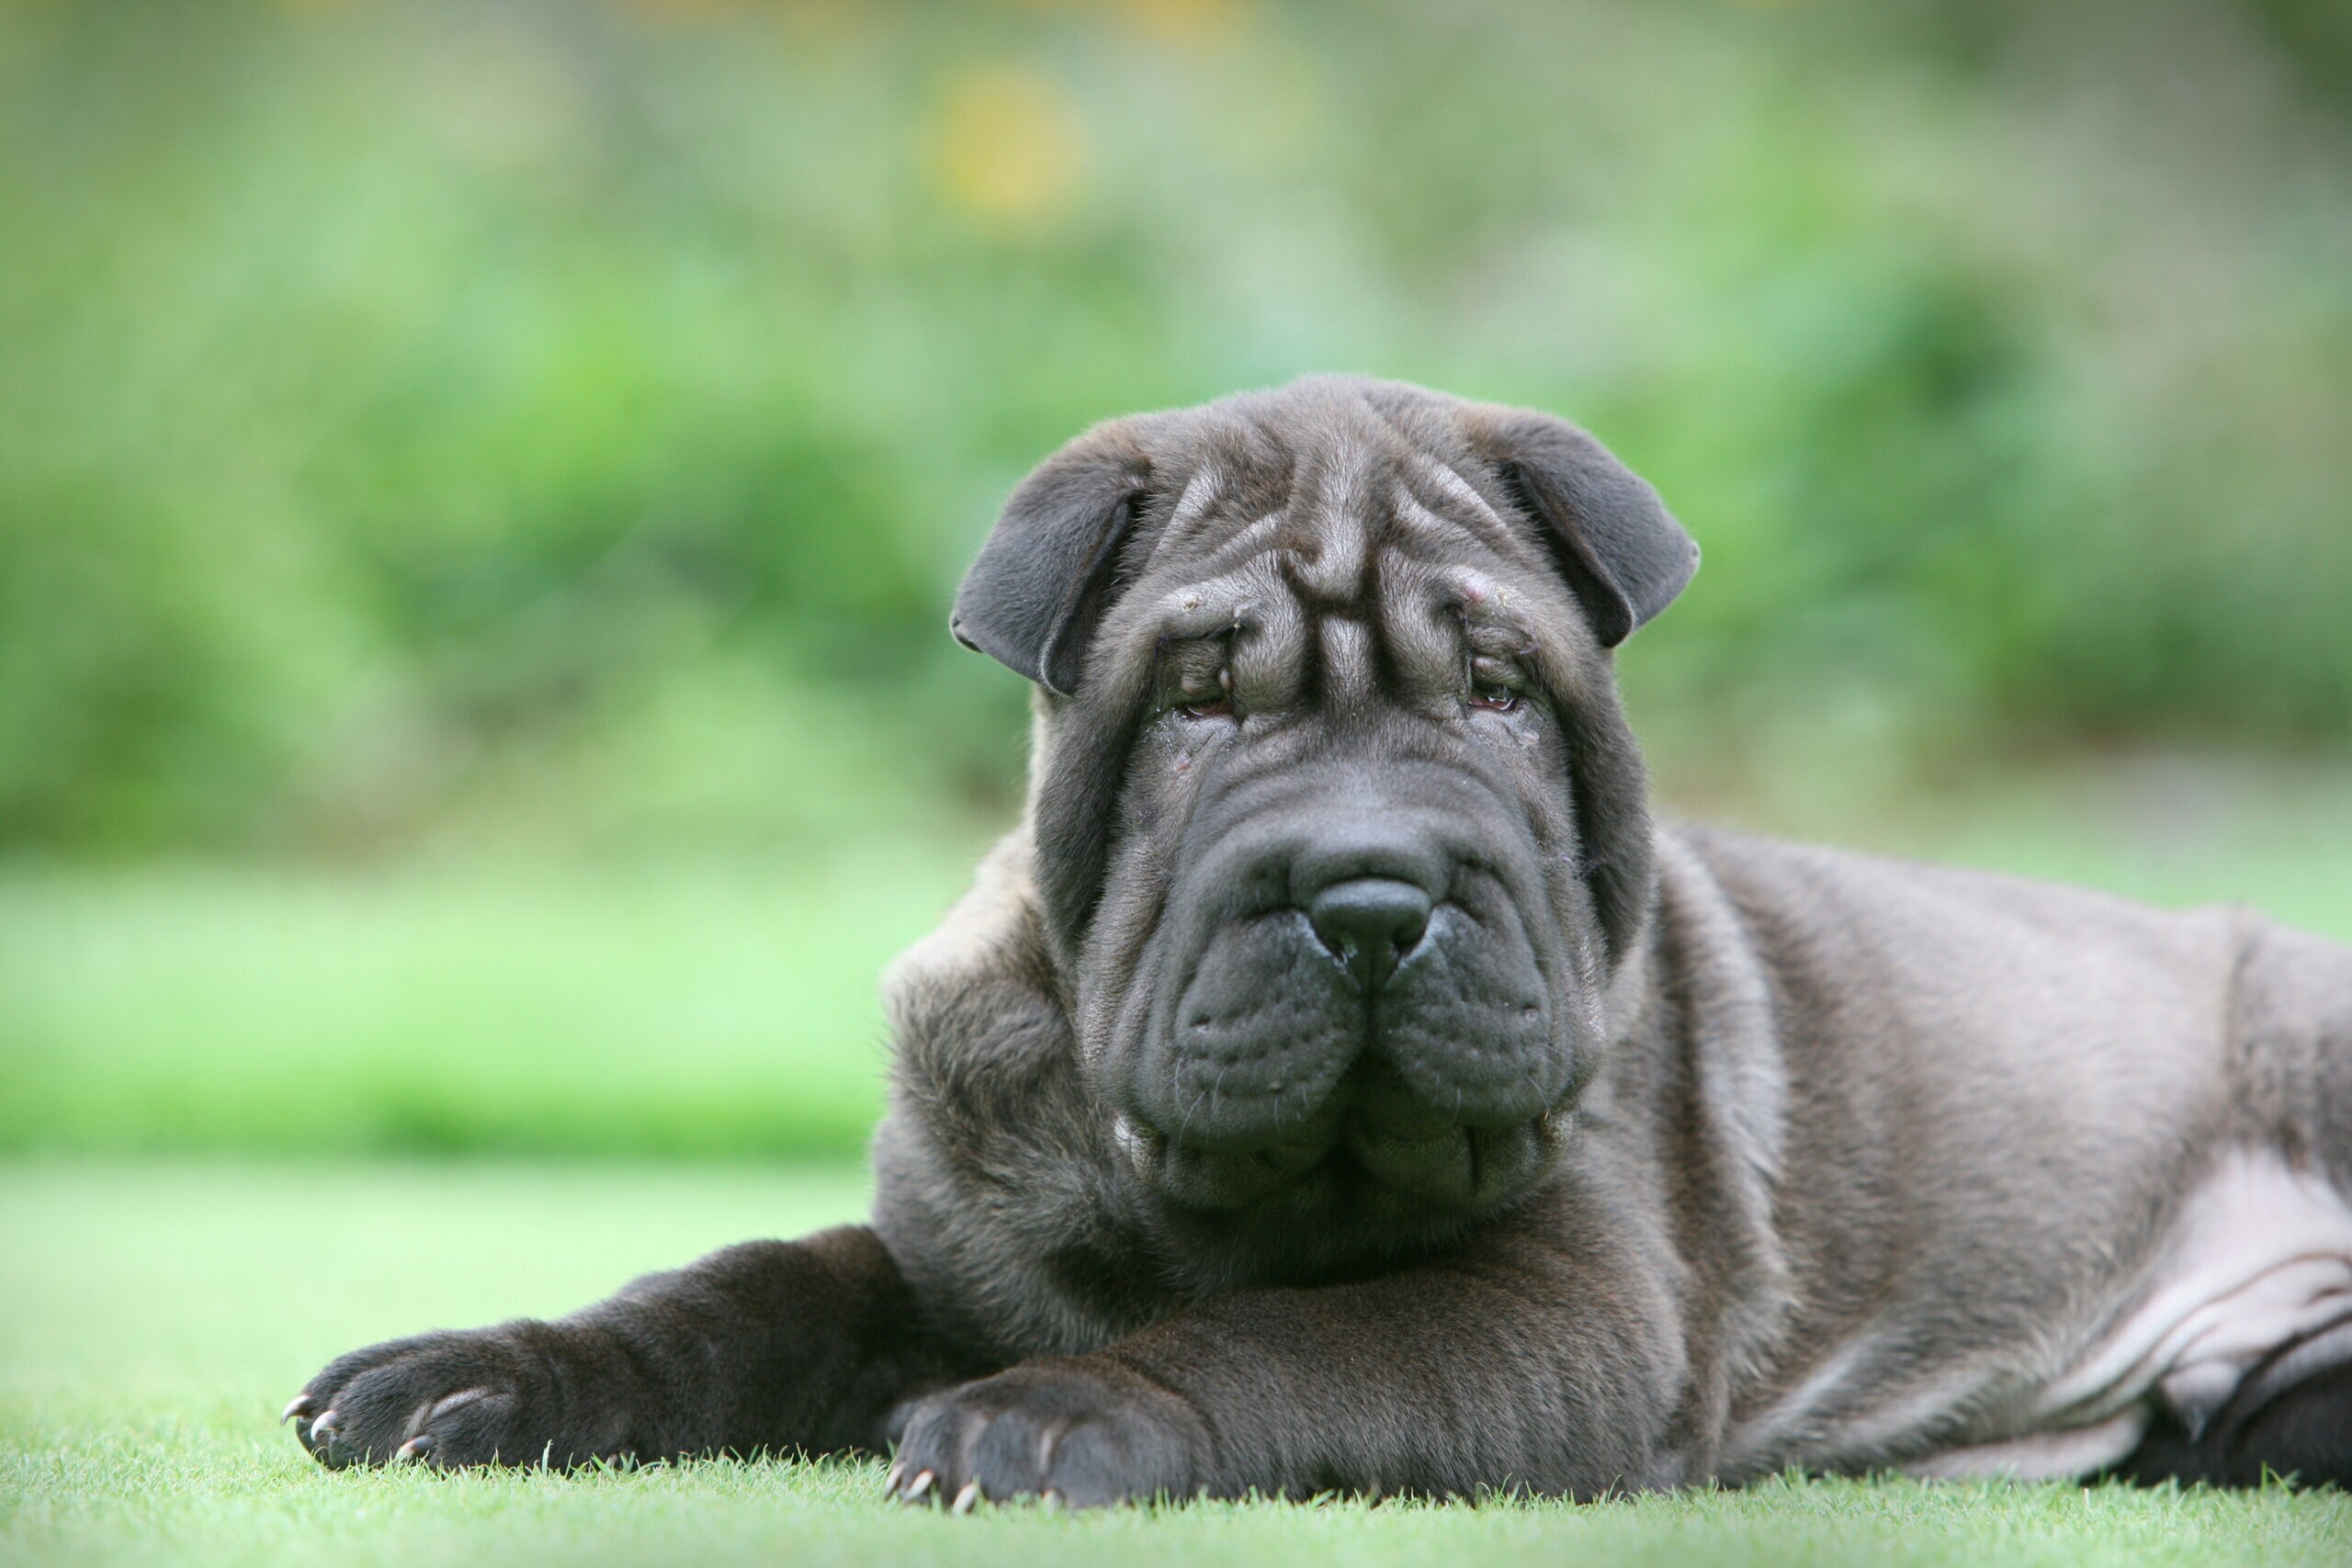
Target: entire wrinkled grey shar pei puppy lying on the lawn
[(1342, 1083)]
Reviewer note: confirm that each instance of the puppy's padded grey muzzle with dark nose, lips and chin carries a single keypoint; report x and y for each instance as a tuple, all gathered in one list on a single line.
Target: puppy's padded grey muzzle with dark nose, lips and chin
[(1370, 1031)]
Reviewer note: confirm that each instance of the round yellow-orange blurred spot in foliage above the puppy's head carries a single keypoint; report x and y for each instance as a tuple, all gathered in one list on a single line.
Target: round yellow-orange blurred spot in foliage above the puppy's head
[(1008, 145)]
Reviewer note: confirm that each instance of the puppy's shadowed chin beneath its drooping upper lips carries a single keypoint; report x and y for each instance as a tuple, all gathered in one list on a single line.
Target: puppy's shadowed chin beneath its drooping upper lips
[(1354, 1172)]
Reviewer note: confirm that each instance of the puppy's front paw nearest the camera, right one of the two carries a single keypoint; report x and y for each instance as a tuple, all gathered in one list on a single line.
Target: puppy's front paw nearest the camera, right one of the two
[(1083, 1433)]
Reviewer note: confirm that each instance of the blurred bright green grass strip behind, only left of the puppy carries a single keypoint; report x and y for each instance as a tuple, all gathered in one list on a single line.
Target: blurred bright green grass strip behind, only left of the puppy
[(643, 1012)]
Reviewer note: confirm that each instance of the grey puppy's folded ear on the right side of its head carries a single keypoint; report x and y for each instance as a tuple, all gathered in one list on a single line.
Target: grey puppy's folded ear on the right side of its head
[(1615, 542)]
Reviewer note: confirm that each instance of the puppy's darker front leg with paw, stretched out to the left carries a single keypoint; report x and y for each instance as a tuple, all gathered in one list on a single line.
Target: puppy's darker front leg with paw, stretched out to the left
[(770, 1346)]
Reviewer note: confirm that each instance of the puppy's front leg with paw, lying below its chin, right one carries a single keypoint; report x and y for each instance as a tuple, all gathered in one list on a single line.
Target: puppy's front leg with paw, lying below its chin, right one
[(1443, 1381)]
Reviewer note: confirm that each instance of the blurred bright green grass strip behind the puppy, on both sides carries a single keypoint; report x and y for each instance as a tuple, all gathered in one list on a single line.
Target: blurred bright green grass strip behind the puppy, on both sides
[(733, 1010)]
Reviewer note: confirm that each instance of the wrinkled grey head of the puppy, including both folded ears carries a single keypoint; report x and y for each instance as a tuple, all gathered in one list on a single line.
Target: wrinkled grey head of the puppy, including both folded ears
[(1339, 831)]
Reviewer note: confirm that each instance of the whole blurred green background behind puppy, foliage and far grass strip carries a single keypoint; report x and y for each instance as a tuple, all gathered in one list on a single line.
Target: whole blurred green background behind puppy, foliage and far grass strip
[(481, 483)]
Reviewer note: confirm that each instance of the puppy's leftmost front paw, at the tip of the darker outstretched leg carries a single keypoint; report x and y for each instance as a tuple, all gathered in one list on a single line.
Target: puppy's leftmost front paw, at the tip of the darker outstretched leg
[(514, 1395)]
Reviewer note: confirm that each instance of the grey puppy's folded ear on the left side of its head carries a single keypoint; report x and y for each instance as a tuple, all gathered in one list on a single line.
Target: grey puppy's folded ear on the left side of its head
[(1043, 579)]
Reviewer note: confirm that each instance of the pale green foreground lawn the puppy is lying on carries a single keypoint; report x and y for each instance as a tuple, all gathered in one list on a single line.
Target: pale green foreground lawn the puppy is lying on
[(159, 1313)]
